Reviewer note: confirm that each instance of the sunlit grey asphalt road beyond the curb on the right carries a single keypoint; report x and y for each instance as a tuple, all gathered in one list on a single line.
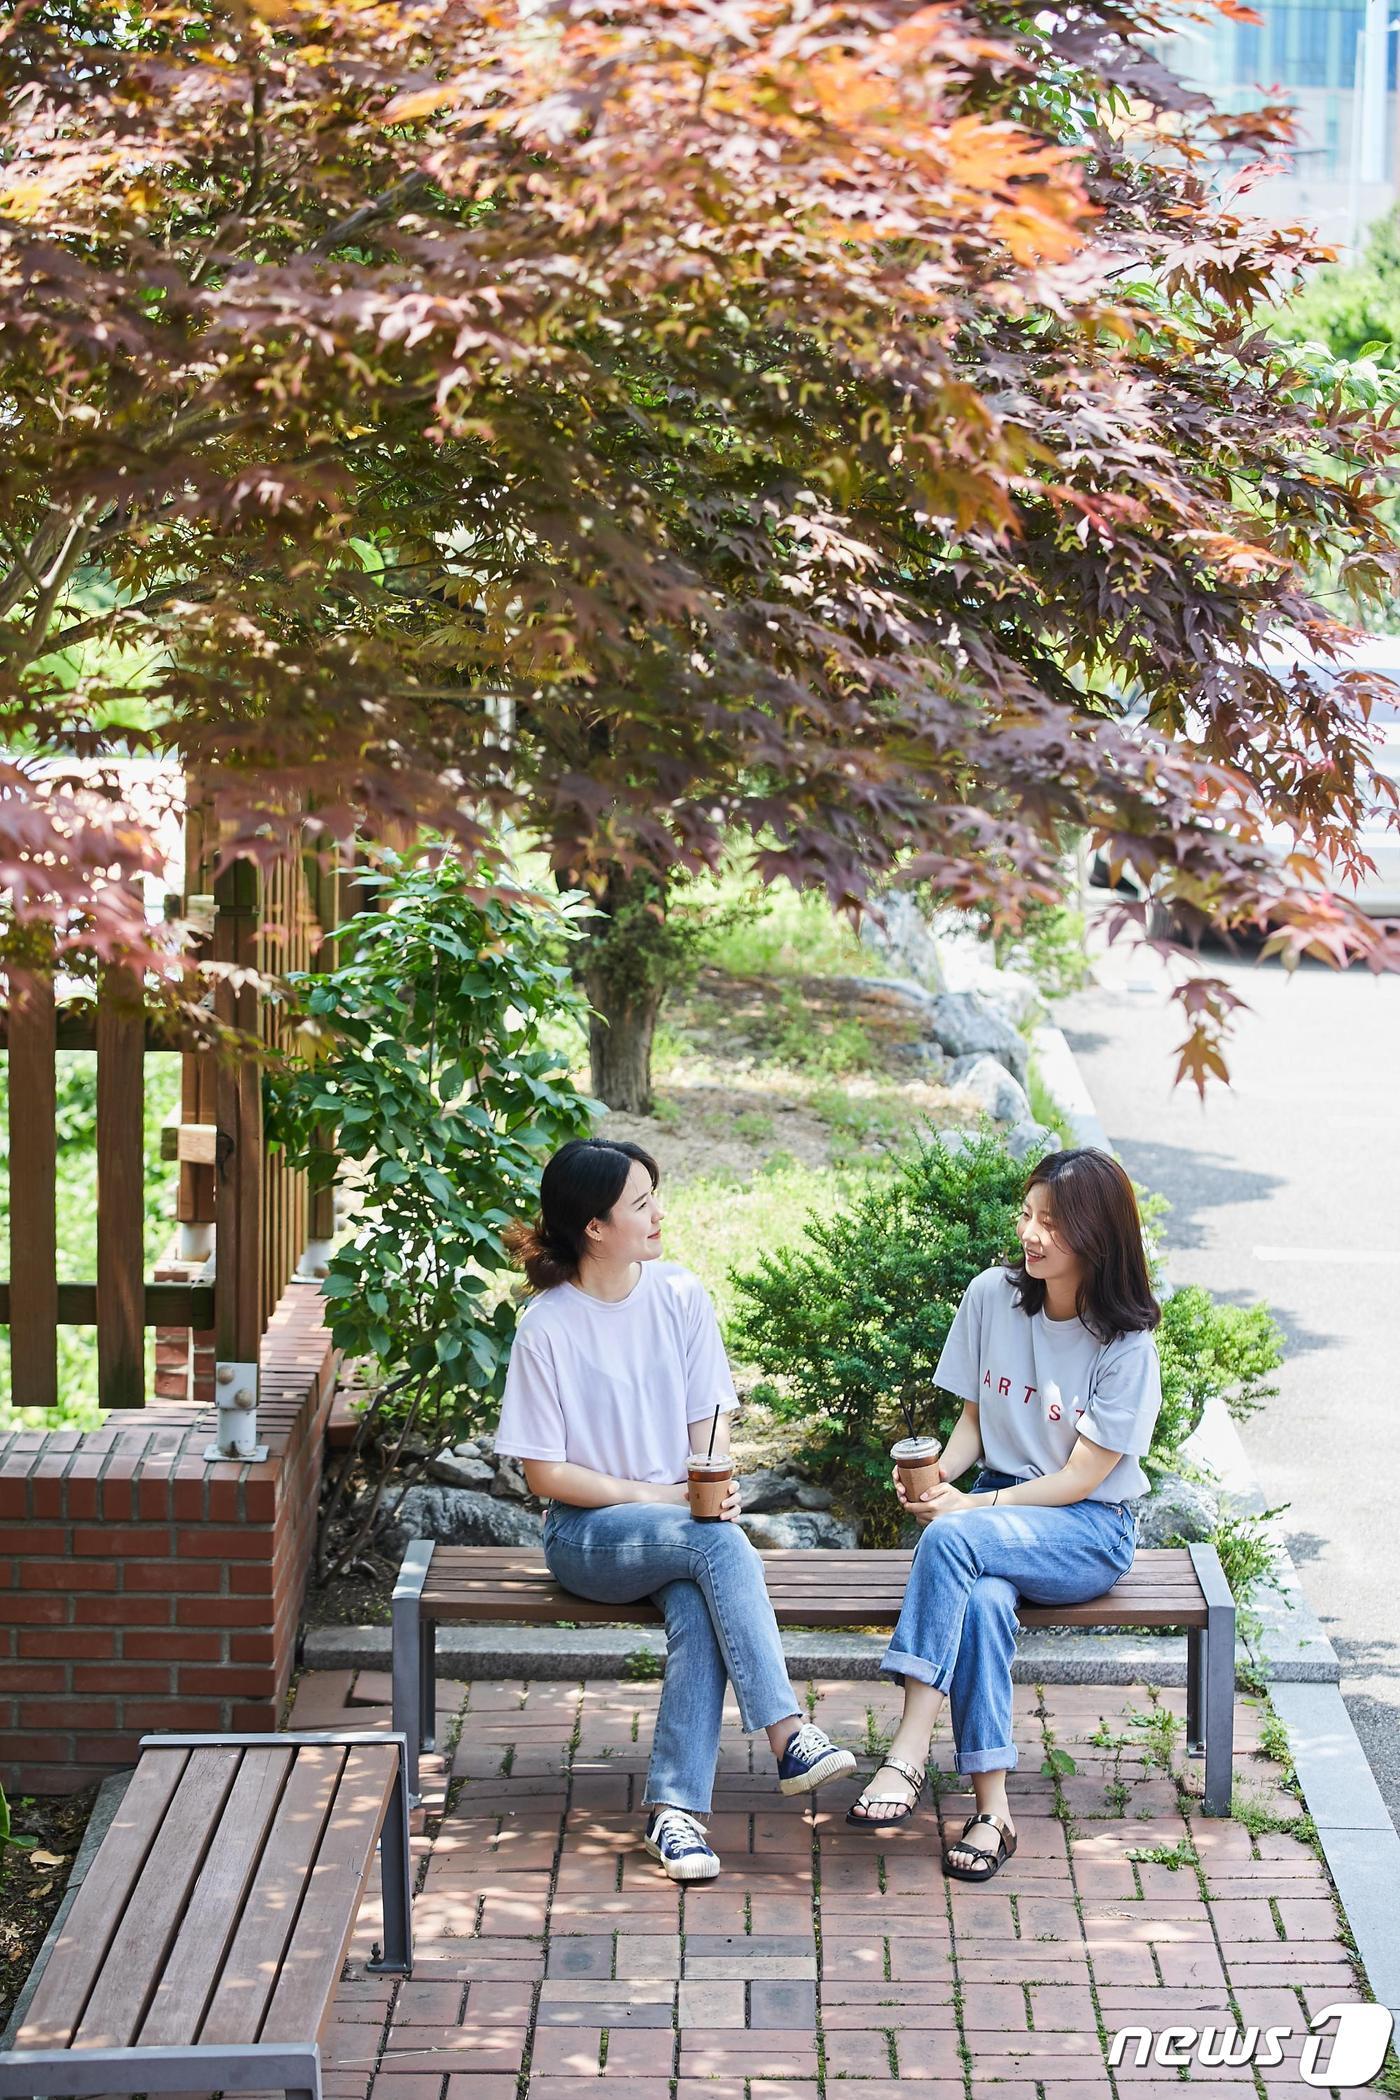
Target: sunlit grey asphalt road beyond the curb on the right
[(1286, 1188)]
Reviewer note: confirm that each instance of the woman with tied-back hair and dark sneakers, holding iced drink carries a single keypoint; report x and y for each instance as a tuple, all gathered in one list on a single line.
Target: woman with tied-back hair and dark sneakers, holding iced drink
[(616, 1374)]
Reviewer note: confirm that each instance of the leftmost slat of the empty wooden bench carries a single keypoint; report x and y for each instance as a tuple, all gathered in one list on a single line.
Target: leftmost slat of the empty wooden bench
[(98, 1910)]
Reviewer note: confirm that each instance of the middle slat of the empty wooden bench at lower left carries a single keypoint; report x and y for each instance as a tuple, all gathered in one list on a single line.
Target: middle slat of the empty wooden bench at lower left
[(211, 1920)]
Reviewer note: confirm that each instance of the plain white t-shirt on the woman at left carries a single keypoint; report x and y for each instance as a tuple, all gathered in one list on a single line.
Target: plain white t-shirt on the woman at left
[(616, 1385)]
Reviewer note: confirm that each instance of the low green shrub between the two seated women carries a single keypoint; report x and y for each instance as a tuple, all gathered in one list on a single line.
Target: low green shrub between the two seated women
[(849, 1324)]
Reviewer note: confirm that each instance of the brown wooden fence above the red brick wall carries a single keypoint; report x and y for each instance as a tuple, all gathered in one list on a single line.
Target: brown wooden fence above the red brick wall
[(261, 1215)]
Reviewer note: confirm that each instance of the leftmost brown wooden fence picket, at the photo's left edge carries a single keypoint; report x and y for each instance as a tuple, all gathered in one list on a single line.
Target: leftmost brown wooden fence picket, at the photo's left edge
[(35, 1272)]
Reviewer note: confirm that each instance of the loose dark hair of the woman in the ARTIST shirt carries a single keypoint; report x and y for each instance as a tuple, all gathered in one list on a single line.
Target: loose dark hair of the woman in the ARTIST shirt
[(1095, 1215)]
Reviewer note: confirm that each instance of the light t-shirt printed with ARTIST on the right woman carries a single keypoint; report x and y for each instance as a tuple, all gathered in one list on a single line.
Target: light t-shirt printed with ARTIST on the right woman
[(1042, 1383)]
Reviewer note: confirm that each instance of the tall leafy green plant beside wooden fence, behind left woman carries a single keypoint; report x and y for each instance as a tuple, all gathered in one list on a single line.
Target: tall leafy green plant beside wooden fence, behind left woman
[(425, 1068)]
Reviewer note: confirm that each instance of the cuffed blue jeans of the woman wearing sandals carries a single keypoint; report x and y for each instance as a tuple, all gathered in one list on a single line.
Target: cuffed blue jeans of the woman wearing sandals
[(958, 1622)]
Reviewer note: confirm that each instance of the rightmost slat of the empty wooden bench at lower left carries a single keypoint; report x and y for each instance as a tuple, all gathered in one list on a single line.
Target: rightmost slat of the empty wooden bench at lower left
[(324, 1927)]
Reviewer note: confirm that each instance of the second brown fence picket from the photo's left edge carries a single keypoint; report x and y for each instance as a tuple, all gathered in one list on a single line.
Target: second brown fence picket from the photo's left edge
[(121, 1190)]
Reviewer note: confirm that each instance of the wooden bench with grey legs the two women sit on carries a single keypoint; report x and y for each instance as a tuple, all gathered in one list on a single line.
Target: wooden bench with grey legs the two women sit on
[(478, 1584)]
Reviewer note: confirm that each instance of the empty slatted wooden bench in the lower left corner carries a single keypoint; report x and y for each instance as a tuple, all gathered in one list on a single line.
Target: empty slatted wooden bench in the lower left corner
[(209, 1935)]
